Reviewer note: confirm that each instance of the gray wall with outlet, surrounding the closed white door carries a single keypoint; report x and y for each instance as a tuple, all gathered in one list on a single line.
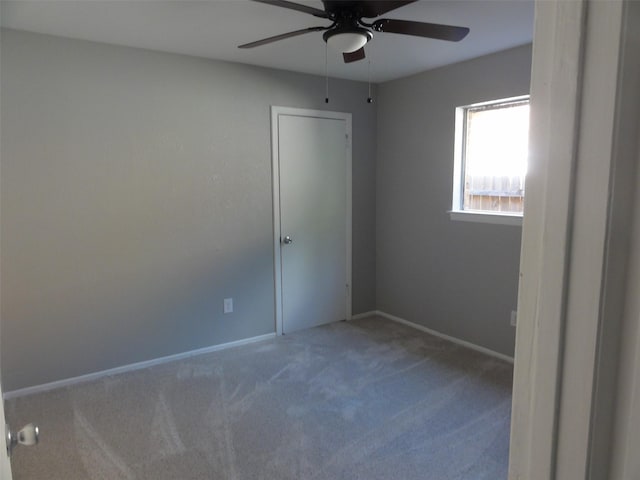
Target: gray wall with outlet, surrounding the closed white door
[(136, 195)]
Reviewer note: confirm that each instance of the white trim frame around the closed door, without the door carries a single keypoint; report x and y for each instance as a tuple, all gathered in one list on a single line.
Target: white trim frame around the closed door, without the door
[(276, 111)]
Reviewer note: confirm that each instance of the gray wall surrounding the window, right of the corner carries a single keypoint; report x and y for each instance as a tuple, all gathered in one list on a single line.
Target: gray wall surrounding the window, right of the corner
[(457, 278)]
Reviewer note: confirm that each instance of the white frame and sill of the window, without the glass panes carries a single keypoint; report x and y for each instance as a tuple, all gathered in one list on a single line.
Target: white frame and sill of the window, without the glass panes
[(457, 211)]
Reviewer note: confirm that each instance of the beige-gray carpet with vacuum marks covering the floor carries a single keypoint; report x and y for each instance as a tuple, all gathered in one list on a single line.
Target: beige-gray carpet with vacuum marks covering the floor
[(368, 399)]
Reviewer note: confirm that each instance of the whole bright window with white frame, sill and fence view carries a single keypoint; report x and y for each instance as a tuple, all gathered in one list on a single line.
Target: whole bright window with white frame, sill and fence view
[(491, 159)]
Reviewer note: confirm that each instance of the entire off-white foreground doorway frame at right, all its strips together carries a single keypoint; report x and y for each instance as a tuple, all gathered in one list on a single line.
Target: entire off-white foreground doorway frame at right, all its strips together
[(584, 106)]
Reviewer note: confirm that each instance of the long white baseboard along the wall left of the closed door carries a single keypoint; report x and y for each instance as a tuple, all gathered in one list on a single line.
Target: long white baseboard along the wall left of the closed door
[(131, 367)]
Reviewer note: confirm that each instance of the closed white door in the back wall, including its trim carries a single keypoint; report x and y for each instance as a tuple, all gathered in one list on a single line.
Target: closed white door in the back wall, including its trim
[(312, 196)]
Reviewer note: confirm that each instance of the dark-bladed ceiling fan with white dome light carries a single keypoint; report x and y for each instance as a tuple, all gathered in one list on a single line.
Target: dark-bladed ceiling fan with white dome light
[(348, 33)]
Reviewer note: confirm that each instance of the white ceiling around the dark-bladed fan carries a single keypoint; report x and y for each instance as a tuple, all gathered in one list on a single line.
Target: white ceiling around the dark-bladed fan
[(214, 29)]
